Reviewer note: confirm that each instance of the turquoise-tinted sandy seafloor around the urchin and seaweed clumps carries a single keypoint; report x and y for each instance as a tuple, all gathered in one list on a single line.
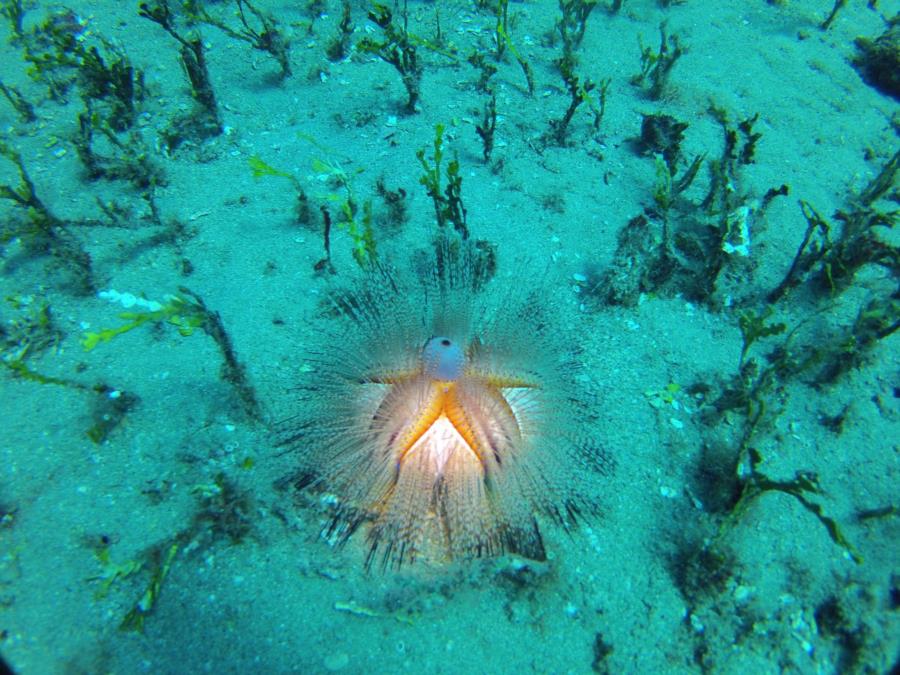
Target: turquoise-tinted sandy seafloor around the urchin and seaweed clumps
[(609, 598)]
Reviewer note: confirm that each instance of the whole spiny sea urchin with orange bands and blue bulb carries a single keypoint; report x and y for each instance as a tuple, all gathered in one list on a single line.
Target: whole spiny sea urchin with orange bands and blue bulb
[(448, 415)]
